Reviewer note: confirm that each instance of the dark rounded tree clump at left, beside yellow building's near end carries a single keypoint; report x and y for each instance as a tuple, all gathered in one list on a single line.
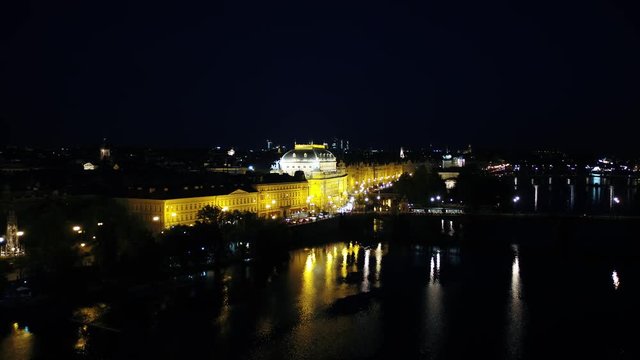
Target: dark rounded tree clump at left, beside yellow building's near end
[(117, 242)]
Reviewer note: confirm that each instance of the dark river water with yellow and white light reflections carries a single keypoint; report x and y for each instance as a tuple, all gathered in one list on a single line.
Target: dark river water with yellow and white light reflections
[(387, 299)]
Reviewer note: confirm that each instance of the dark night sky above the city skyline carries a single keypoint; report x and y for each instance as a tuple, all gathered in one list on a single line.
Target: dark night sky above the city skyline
[(491, 73)]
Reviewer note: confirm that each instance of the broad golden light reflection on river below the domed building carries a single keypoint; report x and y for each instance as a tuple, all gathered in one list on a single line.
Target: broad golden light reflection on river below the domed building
[(325, 326)]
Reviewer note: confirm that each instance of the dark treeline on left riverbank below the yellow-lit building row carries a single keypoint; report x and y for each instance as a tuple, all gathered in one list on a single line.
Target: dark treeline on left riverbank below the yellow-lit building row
[(76, 245)]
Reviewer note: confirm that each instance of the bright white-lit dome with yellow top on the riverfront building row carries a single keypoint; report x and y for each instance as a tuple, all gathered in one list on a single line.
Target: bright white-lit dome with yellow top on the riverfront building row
[(308, 158)]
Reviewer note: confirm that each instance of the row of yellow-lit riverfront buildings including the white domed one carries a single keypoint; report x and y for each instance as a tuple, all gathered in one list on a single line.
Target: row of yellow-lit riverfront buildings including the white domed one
[(325, 187)]
